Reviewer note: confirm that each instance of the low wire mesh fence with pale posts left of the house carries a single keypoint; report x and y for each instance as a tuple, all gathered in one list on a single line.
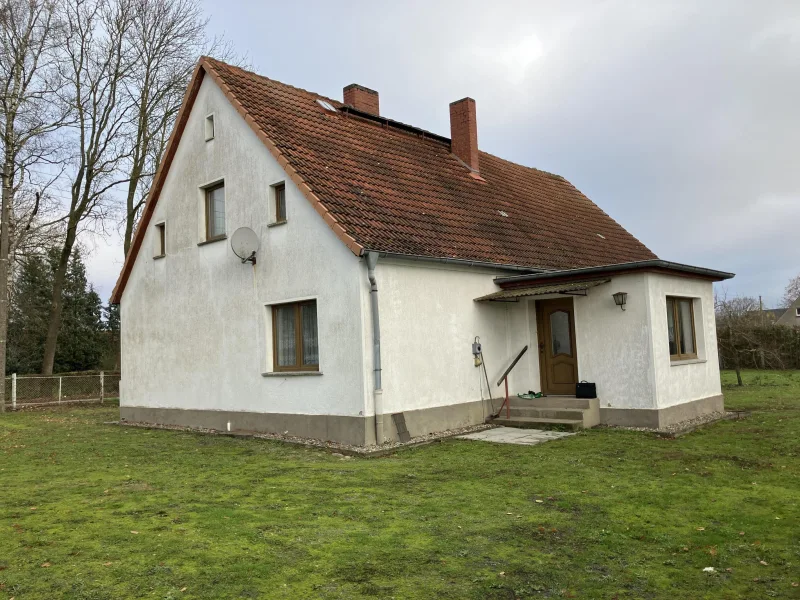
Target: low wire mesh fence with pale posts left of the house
[(38, 390)]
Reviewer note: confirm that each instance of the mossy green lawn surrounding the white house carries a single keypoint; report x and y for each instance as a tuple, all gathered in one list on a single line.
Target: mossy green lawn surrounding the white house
[(95, 511)]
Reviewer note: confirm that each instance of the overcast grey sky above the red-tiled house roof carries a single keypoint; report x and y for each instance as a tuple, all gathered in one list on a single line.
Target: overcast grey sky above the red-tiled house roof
[(680, 119)]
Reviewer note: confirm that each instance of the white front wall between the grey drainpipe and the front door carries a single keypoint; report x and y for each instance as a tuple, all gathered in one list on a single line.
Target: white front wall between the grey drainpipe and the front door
[(429, 320)]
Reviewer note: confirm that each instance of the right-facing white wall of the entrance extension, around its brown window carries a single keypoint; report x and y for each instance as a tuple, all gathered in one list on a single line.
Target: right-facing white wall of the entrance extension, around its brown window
[(684, 381)]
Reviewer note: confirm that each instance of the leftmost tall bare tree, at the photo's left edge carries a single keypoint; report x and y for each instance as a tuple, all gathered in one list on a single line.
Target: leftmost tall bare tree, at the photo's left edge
[(29, 33)]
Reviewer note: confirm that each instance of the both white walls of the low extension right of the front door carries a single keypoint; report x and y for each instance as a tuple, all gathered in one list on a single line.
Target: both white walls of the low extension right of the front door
[(626, 353)]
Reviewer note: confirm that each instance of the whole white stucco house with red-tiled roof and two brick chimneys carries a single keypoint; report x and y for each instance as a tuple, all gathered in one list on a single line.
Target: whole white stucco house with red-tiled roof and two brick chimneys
[(385, 251)]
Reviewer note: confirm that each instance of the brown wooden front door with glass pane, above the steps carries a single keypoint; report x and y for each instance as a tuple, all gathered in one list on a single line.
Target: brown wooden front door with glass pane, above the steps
[(558, 362)]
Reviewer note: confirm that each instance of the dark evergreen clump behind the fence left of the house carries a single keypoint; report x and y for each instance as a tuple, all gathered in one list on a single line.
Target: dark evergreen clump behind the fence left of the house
[(80, 342)]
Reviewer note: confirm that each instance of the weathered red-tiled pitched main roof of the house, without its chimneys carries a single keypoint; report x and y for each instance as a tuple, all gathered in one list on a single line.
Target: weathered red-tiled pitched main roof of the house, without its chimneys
[(392, 188)]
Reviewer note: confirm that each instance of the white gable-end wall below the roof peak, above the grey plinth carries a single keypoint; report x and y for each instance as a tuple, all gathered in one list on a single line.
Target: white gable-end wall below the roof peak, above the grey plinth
[(195, 330)]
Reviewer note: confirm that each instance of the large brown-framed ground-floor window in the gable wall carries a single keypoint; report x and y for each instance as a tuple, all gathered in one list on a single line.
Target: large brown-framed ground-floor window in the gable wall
[(294, 336)]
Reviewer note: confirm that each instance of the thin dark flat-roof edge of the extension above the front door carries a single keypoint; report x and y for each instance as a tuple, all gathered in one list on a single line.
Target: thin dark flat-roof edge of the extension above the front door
[(653, 266)]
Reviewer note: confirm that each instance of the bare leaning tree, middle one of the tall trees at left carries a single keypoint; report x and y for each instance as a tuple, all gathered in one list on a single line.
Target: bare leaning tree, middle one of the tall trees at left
[(98, 59)]
